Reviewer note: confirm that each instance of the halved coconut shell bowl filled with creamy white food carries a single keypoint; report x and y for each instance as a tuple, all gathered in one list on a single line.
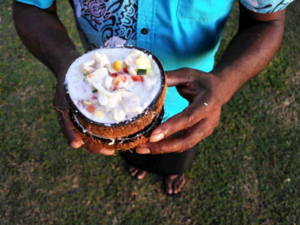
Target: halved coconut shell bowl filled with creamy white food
[(116, 96)]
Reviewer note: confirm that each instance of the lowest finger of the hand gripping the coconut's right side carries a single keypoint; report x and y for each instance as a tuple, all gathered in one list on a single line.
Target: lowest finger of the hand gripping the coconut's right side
[(188, 138)]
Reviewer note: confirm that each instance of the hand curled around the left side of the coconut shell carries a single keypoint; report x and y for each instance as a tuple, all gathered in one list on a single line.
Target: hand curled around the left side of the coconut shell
[(70, 132)]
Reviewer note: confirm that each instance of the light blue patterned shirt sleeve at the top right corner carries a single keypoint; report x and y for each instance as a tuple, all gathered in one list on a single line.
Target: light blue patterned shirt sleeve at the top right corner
[(265, 6)]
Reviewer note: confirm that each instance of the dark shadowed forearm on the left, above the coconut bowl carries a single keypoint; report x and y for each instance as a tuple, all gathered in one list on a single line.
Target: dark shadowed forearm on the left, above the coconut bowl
[(45, 36)]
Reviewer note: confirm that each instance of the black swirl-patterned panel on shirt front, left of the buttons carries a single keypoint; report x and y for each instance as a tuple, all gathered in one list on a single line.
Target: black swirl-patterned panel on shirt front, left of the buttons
[(108, 18)]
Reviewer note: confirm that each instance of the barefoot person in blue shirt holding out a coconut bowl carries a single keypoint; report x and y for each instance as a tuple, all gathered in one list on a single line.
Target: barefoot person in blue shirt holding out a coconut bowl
[(184, 35)]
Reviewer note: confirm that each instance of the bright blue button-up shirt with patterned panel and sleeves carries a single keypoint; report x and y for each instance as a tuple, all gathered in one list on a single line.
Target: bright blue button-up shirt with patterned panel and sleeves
[(181, 33)]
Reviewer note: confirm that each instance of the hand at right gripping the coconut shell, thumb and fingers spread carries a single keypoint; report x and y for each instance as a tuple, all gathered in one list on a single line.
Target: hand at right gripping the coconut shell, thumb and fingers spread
[(196, 122)]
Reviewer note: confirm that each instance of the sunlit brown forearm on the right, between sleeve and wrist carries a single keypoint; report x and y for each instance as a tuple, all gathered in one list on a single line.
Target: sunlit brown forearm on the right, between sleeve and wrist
[(248, 53)]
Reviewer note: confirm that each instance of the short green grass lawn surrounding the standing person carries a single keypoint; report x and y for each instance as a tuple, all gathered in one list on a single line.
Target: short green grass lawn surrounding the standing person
[(247, 172)]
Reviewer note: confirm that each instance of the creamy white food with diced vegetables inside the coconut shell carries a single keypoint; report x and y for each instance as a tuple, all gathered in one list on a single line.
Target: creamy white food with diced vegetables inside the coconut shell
[(112, 101)]
